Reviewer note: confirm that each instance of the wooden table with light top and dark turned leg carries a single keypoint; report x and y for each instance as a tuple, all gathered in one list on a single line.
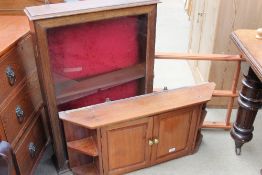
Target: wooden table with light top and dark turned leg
[(250, 96)]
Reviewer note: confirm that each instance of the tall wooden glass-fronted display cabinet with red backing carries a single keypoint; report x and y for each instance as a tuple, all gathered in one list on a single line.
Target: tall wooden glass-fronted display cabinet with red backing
[(88, 52)]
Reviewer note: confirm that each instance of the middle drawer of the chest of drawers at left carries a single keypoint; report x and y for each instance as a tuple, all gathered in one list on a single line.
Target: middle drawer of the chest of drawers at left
[(18, 112)]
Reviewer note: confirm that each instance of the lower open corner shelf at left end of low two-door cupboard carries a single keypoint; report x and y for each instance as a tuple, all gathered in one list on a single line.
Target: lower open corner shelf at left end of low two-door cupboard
[(89, 169)]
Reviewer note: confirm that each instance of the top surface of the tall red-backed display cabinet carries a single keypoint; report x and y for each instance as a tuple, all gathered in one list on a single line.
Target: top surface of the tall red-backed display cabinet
[(79, 7)]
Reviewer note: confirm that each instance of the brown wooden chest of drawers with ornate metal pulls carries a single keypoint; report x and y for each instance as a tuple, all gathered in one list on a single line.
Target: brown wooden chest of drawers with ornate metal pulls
[(22, 114)]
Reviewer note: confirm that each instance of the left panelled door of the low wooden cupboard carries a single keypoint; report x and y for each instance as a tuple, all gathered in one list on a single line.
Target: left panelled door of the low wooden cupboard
[(125, 146)]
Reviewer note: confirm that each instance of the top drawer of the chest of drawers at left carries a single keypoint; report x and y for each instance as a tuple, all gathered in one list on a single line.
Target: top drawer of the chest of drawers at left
[(15, 65)]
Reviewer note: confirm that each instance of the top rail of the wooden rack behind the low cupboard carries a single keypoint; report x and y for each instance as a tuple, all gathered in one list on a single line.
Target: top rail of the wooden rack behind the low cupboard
[(207, 57)]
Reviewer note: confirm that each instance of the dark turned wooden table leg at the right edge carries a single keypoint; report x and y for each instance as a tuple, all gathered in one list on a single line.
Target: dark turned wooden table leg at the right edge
[(250, 100)]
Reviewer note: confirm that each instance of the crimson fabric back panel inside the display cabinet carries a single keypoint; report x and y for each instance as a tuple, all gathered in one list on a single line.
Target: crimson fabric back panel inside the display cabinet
[(94, 48)]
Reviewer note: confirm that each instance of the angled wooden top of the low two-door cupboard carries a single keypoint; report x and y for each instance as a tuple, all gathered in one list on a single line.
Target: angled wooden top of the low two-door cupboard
[(137, 107)]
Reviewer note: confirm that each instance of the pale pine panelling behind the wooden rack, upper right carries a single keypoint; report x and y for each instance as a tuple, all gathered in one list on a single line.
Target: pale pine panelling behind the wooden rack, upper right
[(221, 17)]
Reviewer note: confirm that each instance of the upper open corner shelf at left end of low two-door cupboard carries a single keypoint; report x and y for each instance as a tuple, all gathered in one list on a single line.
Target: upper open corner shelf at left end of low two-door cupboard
[(86, 146)]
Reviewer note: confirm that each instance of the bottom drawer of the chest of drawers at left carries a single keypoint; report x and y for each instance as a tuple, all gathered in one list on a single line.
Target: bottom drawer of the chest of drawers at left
[(30, 146)]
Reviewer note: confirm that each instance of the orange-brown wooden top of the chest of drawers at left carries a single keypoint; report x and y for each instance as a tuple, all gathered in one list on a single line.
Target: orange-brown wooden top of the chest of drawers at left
[(12, 28)]
